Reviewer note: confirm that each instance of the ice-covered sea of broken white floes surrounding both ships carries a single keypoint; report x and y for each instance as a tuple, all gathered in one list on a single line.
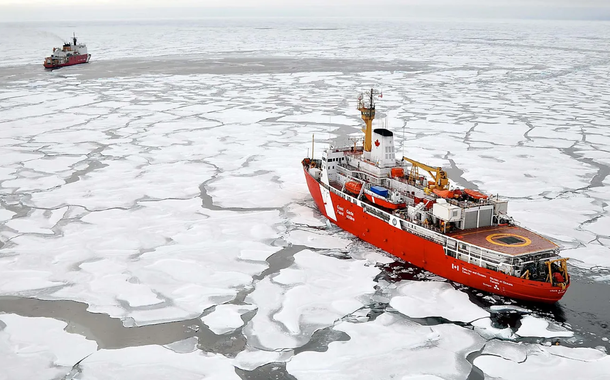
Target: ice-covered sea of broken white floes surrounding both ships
[(155, 223)]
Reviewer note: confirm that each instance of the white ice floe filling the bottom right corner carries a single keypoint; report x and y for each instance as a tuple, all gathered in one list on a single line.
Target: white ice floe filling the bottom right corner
[(555, 362)]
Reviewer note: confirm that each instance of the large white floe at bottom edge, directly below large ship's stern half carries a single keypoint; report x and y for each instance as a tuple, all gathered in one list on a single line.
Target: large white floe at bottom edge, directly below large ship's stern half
[(391, 347)]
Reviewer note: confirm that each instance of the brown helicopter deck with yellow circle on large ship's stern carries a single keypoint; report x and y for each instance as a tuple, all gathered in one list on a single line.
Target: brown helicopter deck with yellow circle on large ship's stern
[(511, 240)]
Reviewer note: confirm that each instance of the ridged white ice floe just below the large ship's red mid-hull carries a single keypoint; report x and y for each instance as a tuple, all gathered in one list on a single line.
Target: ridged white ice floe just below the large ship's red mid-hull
[(310, 295)]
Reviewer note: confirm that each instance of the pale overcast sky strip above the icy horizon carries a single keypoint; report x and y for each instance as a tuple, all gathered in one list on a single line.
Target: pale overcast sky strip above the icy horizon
[(48, 10)]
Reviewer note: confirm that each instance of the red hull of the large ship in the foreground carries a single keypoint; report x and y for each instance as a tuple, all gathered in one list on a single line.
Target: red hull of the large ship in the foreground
[(427, 254)]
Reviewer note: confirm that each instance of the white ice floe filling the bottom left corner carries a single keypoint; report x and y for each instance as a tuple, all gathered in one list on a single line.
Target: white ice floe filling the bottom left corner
[(39, 348)]
